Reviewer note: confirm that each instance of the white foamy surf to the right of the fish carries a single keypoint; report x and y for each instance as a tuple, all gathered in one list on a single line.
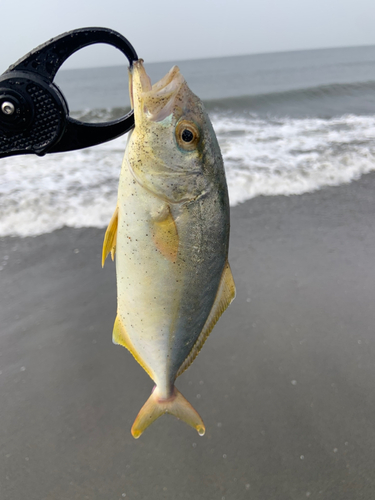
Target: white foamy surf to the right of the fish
[(294, 156)]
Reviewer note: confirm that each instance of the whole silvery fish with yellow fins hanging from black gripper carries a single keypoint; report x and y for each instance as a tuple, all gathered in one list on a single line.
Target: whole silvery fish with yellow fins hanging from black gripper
[(169, 235)]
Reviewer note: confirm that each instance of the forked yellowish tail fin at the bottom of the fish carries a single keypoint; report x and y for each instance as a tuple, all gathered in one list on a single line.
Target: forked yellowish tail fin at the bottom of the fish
[(176, 405)]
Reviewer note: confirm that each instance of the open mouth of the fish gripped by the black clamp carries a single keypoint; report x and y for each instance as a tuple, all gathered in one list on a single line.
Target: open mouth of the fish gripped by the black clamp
[(153, 102)]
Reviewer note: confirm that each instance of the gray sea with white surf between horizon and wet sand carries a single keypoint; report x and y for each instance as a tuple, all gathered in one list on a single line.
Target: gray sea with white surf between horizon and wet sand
[(287, 123)]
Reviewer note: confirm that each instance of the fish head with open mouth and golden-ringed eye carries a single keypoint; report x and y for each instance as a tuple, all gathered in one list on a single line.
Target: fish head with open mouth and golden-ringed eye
[(172, 151)]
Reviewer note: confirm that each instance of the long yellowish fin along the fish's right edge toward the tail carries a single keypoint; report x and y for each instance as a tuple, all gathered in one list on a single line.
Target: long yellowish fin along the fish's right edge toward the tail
[(225, 295)]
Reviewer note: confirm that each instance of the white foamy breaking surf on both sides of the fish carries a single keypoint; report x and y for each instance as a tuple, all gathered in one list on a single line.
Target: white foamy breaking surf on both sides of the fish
[(262, 156)]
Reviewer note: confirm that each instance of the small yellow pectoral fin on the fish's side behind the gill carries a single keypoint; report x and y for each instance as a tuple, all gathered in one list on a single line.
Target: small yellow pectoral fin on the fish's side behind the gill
[(165, 236)]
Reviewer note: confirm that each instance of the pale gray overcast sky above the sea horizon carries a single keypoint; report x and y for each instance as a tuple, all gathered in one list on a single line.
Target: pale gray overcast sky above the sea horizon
[(167, 30)]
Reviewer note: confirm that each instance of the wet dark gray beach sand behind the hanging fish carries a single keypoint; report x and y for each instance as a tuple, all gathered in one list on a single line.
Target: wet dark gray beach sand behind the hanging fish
[(285, 384)]
